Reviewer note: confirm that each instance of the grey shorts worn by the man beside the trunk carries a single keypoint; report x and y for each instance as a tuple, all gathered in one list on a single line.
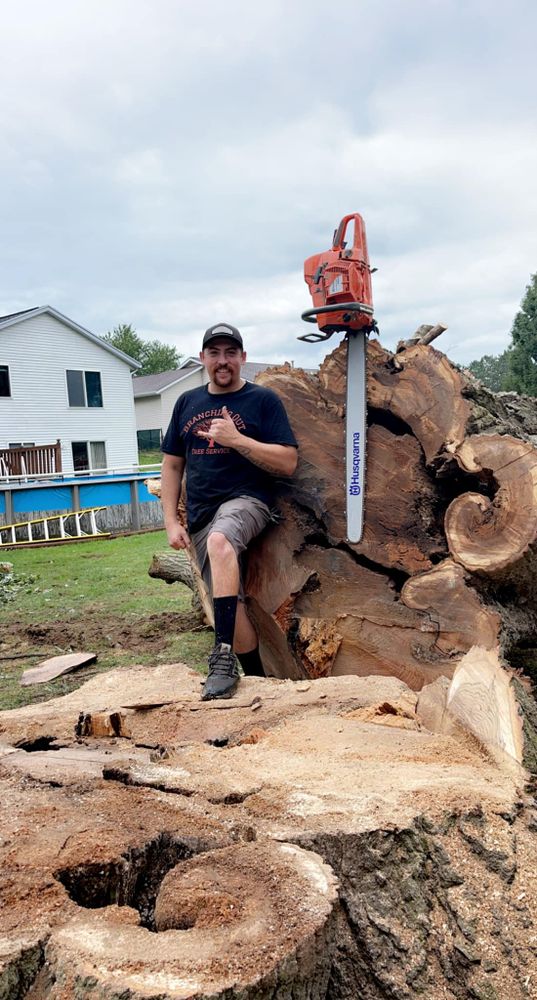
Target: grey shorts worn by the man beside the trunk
[(240, 520)]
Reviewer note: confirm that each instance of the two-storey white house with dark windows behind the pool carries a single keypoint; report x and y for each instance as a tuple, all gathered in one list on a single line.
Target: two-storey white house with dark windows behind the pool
[(59, 381)]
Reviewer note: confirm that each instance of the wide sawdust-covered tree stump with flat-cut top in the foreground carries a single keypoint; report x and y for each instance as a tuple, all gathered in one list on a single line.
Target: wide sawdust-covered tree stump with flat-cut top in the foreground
[(305, 839)]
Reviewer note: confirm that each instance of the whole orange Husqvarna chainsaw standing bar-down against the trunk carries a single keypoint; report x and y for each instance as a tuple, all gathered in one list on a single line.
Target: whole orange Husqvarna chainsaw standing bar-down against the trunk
[(339, 280)]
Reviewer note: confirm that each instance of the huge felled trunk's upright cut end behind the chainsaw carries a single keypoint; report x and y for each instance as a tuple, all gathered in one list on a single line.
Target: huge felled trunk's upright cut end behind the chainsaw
[(448, 559)]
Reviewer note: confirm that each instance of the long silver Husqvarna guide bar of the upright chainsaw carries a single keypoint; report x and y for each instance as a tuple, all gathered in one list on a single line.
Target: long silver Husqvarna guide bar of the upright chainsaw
[(355, 433)]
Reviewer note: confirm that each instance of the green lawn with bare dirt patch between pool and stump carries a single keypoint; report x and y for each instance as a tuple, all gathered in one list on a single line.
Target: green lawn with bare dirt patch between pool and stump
[(93, 596)]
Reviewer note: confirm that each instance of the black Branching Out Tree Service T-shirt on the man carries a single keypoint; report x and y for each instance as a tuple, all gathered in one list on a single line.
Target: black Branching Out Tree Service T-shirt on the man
[(215, 474)]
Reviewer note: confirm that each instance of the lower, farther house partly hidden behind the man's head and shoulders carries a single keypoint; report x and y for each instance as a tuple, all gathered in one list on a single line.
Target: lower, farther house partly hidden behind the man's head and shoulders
[(155, 396)]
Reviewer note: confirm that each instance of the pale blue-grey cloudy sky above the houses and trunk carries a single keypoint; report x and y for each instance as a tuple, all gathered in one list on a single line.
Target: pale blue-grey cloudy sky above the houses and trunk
[(171, 164)]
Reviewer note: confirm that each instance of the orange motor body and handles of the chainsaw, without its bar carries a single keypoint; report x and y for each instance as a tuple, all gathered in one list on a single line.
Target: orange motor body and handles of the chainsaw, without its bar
[(339, 281)]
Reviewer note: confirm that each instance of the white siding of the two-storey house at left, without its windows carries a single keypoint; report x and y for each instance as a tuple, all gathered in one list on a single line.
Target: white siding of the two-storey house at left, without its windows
[(38, 352)]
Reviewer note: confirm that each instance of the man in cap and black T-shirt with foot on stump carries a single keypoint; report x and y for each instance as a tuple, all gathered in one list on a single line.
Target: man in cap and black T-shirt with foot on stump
[(233, 438)]
